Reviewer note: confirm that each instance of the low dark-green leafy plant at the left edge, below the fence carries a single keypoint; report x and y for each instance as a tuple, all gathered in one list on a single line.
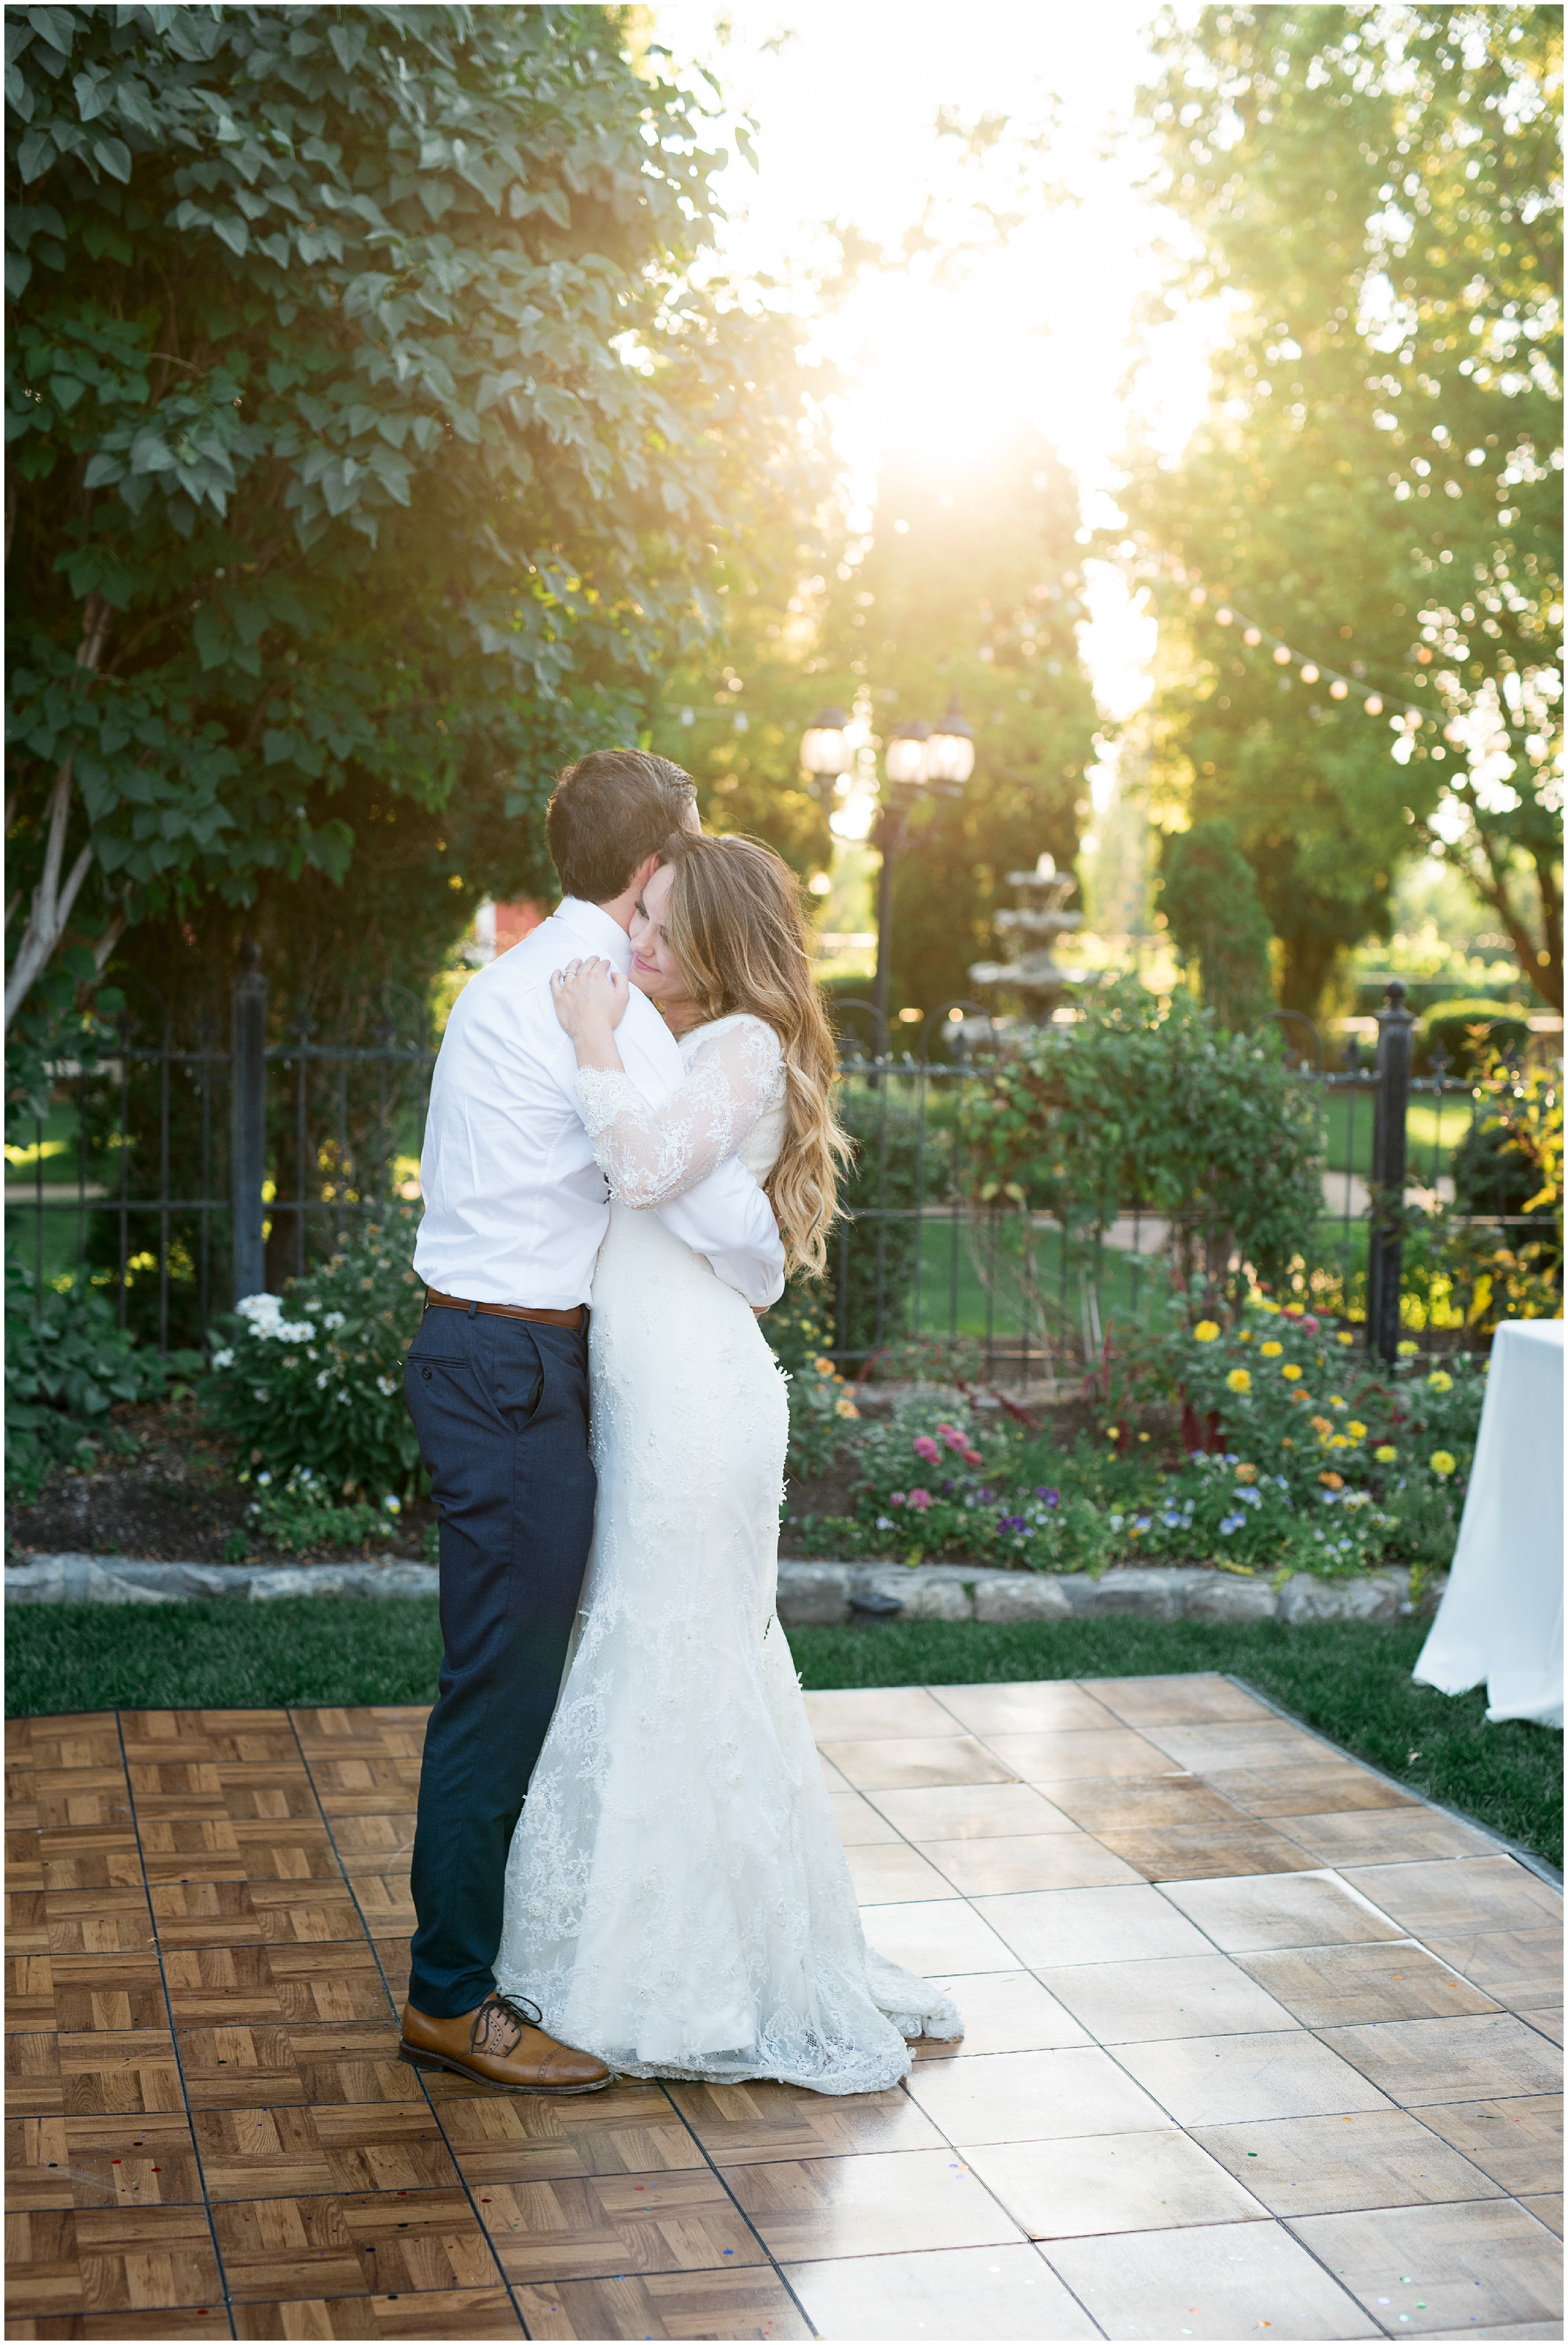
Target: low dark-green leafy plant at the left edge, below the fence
[(67, 1364)]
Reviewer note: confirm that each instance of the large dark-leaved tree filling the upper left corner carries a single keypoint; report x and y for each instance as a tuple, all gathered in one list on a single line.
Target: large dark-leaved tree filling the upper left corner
[(369, 440)]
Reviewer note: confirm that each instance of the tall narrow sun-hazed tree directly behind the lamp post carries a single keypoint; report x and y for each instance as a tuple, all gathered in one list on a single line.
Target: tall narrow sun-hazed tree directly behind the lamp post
[(969, 587)]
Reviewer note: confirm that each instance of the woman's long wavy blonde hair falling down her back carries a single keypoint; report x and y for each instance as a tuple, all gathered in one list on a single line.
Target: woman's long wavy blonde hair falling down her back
[(739, 934)]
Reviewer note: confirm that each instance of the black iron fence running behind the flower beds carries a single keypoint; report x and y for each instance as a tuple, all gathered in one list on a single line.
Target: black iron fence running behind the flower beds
[(184, 1176)]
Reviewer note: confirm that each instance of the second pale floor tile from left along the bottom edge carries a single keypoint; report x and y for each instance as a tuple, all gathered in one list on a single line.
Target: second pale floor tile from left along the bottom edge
[(1225, 2281)]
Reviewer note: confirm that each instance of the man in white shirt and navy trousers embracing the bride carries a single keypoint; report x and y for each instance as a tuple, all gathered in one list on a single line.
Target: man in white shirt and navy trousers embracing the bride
[(498, 1389)]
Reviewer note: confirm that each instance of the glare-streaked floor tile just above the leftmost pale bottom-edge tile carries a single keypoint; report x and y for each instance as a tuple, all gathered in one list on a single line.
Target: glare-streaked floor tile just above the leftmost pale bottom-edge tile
[(871, 2205)]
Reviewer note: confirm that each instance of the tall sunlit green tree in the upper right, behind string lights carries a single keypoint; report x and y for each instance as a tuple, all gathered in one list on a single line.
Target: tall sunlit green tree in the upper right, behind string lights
[(1372, 196)]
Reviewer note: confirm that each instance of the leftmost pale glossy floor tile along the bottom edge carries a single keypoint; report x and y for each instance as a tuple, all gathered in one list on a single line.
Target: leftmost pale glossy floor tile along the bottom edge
[(957, 2292)]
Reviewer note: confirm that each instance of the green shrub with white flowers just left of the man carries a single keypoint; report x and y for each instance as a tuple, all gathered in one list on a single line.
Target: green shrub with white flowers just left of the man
[(315, 1378)]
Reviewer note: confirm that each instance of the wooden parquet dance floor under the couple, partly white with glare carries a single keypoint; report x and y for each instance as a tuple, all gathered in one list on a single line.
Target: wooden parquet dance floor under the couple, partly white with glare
[(1257, 2046)]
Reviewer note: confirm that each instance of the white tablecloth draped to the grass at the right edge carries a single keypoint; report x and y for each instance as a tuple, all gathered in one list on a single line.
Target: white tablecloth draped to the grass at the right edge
[(1501, 1617)]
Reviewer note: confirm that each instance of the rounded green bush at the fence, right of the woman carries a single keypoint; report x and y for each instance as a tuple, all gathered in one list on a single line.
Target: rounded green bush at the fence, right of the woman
[(1150, 1103)]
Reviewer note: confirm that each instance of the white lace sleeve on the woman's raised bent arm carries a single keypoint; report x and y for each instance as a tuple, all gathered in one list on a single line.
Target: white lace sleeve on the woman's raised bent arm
[(653, 1155)]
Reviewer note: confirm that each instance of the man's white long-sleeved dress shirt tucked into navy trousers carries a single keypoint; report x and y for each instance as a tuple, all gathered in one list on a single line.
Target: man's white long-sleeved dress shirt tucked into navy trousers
[(514, 1204)]
